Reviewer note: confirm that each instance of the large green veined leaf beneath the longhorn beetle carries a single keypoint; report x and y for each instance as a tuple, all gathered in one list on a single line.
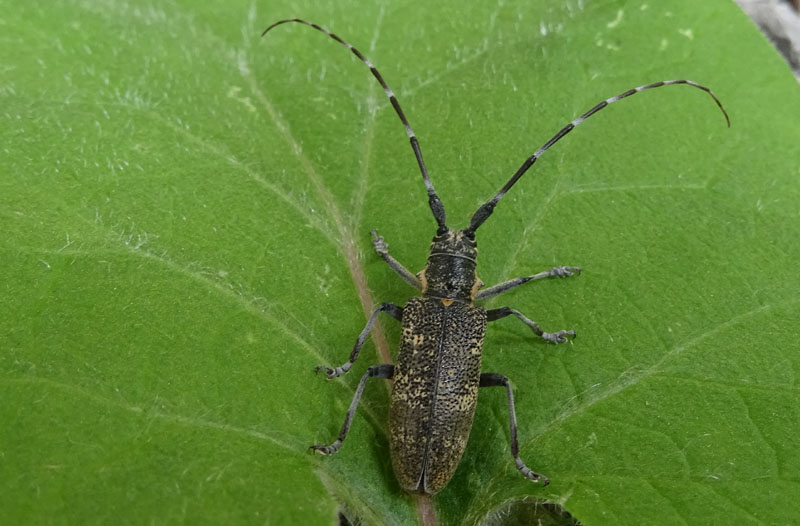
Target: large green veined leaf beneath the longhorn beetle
[(186, 208)]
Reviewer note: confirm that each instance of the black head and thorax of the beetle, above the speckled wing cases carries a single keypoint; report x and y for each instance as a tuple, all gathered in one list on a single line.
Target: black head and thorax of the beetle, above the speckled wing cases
[(450, 271)]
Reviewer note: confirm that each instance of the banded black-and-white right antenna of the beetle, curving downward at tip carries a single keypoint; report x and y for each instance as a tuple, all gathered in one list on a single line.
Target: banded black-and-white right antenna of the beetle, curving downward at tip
[(483, 213)]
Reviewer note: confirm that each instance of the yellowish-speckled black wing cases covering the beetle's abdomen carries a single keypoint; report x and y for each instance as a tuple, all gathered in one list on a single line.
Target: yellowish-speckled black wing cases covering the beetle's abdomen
[(436, 378)]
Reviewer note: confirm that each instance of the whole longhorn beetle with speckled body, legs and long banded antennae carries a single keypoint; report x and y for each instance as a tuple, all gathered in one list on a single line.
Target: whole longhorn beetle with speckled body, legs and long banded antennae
[(438, 369)]
